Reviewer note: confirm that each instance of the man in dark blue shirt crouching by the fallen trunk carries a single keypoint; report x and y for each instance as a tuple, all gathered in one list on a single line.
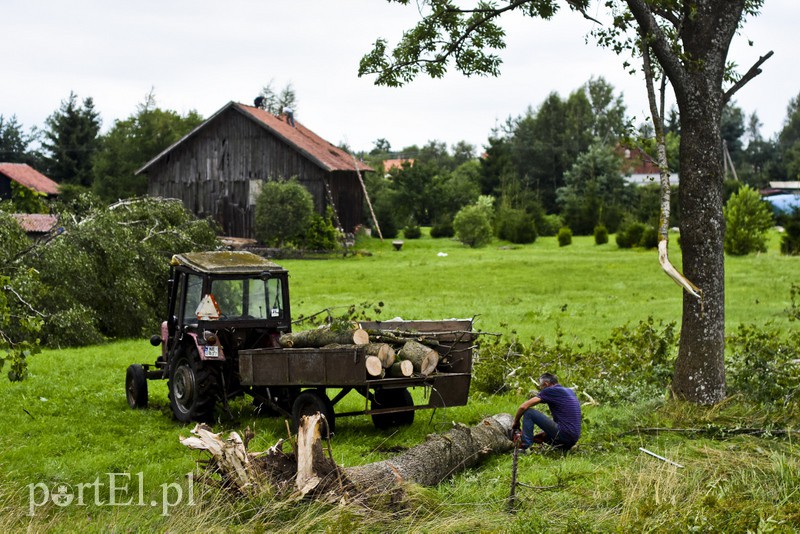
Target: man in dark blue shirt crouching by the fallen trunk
[(564, 429)]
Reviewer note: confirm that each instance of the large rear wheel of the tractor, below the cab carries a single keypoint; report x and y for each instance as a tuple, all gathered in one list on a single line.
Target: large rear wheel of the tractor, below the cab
[(191, 388)]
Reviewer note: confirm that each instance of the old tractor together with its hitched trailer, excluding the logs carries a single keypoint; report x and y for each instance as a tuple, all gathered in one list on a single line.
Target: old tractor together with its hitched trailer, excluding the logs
[(227, 312)]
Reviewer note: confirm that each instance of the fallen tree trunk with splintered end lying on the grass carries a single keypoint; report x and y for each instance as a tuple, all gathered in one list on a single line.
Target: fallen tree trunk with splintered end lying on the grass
[(309, 471)]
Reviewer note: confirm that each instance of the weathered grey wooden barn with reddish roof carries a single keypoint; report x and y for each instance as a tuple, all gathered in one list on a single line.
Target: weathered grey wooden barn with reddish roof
[(217, 169)]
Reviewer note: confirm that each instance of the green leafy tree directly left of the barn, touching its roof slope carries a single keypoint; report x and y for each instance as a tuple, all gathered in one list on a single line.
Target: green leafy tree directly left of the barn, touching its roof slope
[(131, 143)]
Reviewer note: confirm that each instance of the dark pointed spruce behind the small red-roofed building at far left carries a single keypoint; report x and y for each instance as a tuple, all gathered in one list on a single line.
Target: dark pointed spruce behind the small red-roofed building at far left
[(71, 140)]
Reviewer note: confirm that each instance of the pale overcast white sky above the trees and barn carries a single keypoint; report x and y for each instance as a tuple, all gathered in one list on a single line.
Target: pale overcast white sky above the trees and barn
[(199, 55)]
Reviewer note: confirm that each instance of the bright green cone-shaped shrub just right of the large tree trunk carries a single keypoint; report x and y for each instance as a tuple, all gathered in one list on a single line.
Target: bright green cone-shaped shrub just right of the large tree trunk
[(747, 219)]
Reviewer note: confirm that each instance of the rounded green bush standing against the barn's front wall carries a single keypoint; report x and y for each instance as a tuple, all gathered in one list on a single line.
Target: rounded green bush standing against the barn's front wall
[(283, 212)]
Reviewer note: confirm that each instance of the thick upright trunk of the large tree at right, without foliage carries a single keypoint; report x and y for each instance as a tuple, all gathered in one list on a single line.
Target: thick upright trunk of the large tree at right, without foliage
[(708, 28)]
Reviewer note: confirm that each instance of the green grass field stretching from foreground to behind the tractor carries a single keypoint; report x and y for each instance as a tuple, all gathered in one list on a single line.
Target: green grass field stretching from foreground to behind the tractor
[(69, 424)]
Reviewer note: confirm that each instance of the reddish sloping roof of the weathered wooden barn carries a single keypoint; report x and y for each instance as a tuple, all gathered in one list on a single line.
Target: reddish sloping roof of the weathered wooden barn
[(324, 154)]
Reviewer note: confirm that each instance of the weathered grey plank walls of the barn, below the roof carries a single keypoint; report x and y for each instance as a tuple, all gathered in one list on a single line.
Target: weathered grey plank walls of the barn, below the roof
[(211, 174)]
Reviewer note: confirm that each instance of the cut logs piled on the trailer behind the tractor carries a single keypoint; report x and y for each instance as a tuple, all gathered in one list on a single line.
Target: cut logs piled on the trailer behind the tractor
[(388, 354)]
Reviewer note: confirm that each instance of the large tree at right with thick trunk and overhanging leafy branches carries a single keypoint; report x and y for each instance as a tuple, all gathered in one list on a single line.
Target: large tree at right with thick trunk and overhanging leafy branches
[(689, 40)]
